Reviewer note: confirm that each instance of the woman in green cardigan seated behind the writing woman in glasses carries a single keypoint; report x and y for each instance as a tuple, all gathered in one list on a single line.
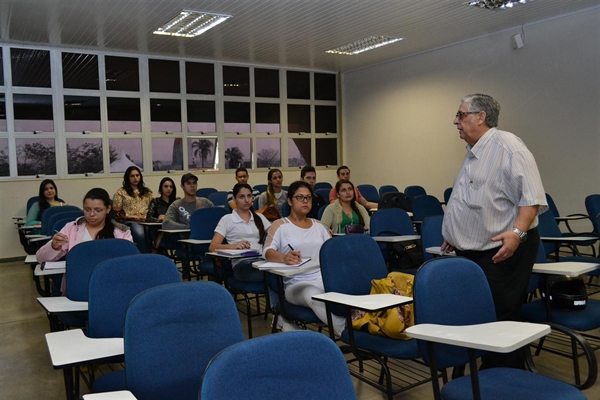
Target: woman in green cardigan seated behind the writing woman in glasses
[(345, 210)]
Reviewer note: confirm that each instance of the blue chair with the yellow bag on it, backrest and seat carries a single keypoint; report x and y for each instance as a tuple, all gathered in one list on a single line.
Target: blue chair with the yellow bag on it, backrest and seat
[(348, 265)]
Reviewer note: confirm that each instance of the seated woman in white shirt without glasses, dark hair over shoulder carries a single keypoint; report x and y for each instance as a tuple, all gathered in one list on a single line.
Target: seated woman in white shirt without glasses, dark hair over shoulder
[(243, 229)]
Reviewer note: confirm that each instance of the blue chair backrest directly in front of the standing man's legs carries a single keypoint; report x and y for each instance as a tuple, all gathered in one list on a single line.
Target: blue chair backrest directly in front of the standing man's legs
[(451, 291)]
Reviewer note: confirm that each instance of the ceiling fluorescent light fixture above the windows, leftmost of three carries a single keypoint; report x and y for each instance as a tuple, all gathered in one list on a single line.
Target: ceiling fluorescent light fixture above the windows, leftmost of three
[(191, 23)]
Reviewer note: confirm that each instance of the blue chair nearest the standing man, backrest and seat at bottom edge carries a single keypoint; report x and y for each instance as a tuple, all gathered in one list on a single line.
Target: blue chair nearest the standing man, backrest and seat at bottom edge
[(435, 292)]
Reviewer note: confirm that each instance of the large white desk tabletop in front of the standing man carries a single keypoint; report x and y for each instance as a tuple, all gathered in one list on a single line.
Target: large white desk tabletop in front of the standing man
[(499, 337)]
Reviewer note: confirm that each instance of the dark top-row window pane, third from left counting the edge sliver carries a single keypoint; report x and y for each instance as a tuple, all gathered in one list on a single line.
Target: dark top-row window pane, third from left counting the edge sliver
[(80, 71)]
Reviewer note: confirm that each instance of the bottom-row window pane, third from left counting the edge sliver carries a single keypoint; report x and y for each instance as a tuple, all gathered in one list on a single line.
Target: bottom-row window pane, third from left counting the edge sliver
[(85, 155)]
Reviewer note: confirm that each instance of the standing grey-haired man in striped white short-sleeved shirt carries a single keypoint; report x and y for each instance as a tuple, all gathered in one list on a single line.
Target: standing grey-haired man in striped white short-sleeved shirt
[(491, 219)]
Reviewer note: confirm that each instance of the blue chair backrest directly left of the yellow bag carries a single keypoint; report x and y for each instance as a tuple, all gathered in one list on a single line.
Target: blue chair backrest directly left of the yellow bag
[(349, 263)]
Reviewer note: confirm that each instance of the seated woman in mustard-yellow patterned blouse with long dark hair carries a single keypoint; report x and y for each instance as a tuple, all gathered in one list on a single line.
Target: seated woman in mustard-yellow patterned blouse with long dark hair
[(131, 203)]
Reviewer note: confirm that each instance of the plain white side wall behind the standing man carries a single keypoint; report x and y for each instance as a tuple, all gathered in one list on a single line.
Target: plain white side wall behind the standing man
[(397, 116)]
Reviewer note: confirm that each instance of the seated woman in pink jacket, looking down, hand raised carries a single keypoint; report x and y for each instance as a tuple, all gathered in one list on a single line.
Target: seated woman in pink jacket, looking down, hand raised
[(96, 223)]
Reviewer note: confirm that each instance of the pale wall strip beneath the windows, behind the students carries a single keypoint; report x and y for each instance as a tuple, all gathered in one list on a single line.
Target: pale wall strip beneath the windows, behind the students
[(14, 194)]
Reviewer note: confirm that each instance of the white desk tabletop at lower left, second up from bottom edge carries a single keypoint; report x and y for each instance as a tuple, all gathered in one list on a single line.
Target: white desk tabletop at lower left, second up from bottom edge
[(72, 347)]
